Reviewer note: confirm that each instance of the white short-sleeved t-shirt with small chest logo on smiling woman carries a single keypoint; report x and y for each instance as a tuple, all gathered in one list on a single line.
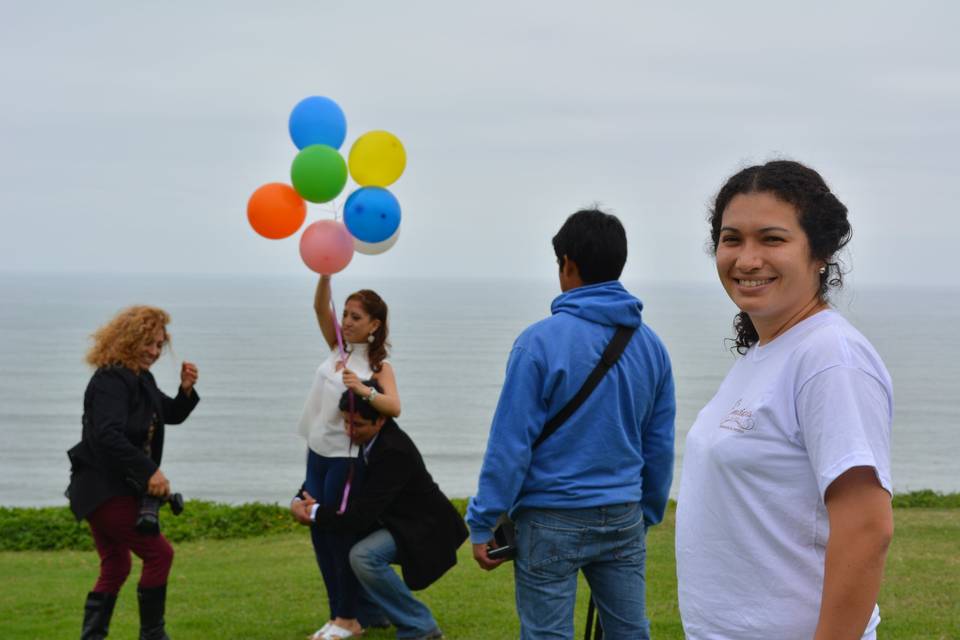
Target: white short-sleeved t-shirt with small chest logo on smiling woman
[(752, 528)]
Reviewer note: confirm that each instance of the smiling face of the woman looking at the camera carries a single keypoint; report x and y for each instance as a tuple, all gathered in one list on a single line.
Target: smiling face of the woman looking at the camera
[(764, 261)]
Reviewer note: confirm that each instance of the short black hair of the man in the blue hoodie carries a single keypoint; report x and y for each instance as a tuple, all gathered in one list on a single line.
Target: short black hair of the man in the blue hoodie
[(596, 241)]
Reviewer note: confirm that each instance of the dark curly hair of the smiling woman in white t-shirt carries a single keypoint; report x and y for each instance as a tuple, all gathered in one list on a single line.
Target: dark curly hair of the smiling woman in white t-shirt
[(822, 216)]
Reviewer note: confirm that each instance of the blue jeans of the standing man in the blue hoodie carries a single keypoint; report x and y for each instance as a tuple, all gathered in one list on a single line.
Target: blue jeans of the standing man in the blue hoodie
[(607, 543)]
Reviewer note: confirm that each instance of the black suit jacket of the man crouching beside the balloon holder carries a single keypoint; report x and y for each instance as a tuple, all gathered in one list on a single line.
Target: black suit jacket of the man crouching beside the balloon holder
[(399, 494)]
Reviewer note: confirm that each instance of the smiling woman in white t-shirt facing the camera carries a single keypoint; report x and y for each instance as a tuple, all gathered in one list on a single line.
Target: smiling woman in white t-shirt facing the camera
[(784, 514)]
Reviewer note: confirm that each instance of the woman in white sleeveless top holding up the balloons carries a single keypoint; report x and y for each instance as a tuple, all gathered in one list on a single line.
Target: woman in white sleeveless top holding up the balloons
[(358, 352)]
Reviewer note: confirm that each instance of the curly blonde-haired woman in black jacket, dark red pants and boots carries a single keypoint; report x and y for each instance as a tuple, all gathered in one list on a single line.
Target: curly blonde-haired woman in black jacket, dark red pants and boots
[(118, 461)]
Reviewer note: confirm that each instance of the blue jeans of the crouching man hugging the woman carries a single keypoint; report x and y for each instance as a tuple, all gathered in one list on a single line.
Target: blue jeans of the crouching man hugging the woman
[(371, 559)]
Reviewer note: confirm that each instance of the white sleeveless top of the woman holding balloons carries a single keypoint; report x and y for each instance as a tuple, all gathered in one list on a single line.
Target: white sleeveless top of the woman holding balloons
[(322, 423)]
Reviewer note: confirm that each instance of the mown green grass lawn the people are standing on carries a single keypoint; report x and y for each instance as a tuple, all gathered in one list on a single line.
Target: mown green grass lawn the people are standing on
[(268, 587)]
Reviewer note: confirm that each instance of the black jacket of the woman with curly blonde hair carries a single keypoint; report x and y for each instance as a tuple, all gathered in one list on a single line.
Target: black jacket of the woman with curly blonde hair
[(110, 460)]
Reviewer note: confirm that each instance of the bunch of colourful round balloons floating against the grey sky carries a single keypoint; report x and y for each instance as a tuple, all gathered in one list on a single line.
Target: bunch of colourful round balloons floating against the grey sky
[(318, 174)]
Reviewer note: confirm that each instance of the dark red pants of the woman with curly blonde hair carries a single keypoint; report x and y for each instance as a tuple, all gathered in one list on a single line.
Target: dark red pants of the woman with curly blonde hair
[(112, 526)]
